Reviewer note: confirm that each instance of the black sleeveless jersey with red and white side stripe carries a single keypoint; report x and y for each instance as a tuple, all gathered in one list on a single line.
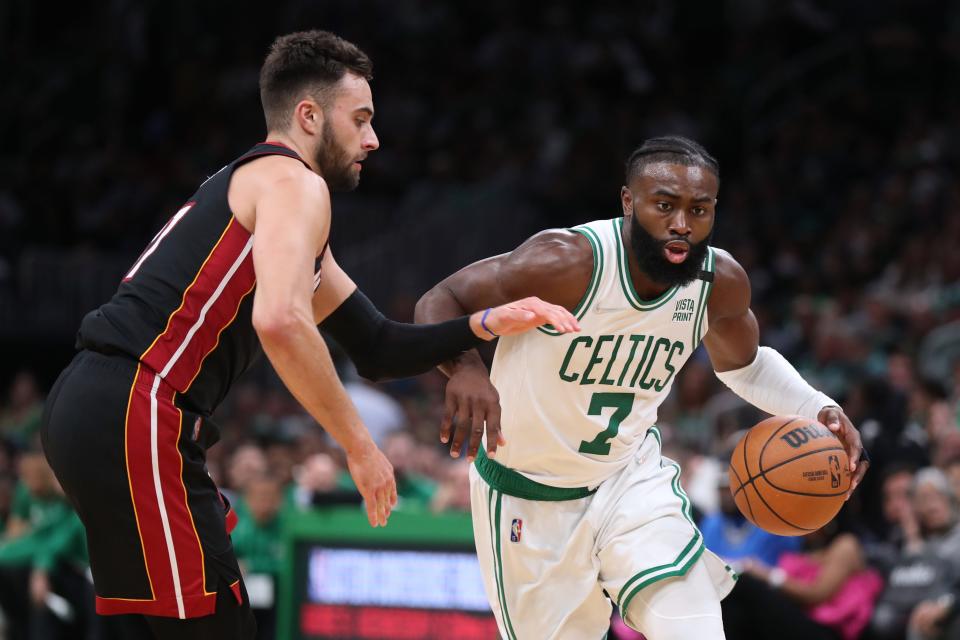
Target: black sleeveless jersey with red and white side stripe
[(184, 309)]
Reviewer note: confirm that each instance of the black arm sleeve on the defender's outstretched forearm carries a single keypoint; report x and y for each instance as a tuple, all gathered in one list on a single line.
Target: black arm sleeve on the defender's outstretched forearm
[(382, 349)]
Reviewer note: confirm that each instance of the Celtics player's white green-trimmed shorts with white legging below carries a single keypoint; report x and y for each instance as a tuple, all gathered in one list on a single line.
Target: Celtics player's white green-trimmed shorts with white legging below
[(553, 559)]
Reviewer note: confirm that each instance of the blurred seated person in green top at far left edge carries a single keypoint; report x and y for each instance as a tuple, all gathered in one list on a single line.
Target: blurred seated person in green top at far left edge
[(44, 592)]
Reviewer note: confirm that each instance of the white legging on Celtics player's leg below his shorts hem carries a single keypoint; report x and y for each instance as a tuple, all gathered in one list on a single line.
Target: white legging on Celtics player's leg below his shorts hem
[(678, 608)]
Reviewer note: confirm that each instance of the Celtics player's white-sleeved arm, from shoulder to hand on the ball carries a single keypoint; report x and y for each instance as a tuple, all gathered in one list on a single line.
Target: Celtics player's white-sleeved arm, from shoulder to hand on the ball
[(760, 375)]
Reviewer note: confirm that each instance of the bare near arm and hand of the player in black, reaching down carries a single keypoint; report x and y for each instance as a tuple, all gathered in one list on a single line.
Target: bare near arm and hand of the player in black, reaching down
[(292, 223)]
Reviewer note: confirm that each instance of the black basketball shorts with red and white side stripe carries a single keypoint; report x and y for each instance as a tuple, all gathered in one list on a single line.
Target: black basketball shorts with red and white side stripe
[(132, 463)]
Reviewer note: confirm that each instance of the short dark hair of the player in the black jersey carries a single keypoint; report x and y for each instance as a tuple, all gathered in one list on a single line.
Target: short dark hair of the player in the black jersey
[(306, 61)]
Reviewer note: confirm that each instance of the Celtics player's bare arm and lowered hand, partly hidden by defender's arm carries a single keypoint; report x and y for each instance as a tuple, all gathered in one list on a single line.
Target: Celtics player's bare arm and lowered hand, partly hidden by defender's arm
[(554, 265)]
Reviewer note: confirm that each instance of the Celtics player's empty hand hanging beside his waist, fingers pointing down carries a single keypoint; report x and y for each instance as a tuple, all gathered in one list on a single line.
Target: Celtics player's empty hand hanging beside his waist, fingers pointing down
[(472, 401)]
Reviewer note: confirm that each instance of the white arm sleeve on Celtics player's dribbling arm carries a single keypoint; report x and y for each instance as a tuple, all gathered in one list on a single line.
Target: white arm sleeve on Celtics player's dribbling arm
[(772, 384)]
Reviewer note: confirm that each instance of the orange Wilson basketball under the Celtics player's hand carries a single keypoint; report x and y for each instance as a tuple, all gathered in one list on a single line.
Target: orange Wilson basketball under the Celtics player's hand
[(789, 475)]
